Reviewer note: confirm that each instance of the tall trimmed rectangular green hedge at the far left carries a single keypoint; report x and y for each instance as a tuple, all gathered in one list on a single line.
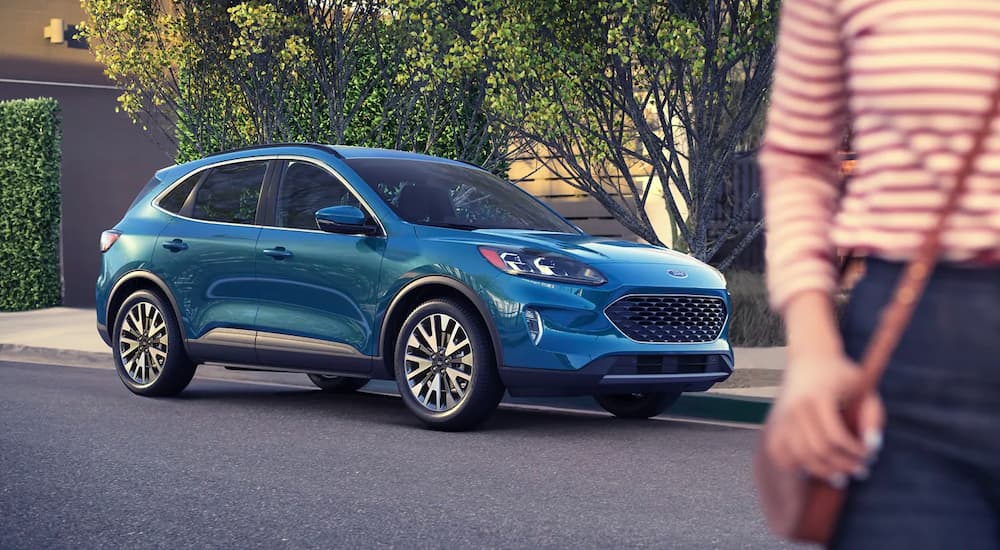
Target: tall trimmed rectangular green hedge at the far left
[(30, 138)]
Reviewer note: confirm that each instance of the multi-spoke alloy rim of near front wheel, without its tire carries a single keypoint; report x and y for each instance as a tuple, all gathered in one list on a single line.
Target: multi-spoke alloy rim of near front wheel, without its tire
[(438, 362)]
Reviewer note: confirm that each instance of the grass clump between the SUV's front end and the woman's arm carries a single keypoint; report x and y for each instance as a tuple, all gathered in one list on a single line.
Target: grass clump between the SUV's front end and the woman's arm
[(752, 323)]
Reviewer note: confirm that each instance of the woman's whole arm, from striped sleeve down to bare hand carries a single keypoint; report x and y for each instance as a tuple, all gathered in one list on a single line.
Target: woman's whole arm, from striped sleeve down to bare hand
[(801, 190)]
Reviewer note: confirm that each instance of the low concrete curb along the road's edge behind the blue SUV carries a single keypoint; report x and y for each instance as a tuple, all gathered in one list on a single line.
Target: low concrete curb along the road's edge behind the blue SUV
[(708, 406)]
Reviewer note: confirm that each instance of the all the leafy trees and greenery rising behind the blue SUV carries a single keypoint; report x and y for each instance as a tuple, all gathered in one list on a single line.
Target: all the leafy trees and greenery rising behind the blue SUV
[(623, 96)]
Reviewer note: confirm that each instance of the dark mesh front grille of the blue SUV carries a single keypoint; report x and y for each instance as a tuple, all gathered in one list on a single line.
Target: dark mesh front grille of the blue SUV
[(672, 319)]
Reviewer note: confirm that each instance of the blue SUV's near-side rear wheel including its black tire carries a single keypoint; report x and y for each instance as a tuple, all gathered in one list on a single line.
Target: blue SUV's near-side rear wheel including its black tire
[(148, 348)]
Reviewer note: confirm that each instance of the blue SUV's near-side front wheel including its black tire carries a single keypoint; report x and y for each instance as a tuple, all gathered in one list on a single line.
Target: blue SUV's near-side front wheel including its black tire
[(447, 392)]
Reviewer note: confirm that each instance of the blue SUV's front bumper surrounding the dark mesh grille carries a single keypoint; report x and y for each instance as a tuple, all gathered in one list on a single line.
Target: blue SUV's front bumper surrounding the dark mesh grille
[(581, 352)]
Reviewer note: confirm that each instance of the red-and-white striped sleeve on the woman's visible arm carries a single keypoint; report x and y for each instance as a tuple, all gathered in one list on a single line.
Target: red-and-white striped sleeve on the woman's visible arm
[(805, 124)]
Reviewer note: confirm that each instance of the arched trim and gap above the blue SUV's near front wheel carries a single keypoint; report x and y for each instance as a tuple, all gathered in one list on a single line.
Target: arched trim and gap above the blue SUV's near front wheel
[(421, 290)]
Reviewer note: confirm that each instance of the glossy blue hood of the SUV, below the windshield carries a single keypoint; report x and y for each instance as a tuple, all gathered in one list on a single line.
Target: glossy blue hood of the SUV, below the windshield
[(593, 250)]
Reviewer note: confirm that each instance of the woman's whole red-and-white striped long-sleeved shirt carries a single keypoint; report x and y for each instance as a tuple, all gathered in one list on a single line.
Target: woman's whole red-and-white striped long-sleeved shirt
[(913, 77)]
